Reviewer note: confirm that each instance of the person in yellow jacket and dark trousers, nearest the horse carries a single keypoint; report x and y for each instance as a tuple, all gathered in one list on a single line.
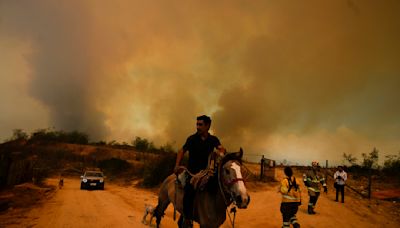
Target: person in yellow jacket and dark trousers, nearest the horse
[(291, 199)]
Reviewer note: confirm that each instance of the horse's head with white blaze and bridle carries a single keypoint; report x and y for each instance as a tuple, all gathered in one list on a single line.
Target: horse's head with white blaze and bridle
[(231, 178)]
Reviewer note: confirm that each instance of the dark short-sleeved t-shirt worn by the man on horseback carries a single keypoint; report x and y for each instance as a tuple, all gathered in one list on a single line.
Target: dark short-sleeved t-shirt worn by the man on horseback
[(199, 150)]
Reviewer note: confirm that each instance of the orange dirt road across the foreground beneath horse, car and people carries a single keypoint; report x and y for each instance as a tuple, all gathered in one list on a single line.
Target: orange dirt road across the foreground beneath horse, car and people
[(119, 206)]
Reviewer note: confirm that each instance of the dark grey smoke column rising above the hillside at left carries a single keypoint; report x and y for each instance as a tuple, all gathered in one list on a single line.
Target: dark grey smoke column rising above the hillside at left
[(64, 58)]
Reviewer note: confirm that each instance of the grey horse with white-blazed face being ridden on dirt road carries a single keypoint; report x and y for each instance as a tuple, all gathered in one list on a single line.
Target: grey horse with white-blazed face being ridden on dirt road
[(225, 187)]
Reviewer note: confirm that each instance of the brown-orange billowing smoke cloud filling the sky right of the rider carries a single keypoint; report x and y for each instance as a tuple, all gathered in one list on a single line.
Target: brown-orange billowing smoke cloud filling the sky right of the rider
[(313, 74)]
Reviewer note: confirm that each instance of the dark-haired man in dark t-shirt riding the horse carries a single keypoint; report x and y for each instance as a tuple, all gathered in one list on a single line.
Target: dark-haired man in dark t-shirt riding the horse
[(200, 145)]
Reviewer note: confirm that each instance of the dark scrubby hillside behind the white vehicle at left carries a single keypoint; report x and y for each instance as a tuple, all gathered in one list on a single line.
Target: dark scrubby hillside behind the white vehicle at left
[(22, 161)]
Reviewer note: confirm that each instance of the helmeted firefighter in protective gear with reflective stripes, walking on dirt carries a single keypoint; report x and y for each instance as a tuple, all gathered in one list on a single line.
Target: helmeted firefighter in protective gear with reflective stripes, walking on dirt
[(313, 179)]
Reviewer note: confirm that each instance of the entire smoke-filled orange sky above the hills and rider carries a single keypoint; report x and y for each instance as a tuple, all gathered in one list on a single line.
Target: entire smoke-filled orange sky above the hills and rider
[(302, 81)]
